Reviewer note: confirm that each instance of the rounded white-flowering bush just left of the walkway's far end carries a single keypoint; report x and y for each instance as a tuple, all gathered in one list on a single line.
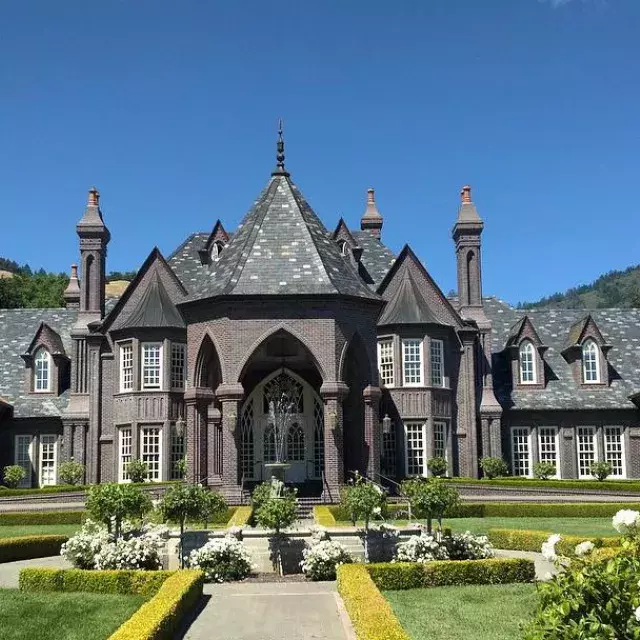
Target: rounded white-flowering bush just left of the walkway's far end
[(222, 560)]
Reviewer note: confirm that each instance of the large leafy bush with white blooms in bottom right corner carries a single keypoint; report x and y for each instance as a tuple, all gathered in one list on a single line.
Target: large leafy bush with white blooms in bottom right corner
[(592, 596)]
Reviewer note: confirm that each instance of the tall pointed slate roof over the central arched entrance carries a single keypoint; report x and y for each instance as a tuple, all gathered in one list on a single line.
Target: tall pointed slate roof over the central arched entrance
[(280, 248)]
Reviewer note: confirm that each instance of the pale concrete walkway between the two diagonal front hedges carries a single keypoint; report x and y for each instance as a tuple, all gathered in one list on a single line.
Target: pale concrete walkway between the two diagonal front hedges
[(272, 611)]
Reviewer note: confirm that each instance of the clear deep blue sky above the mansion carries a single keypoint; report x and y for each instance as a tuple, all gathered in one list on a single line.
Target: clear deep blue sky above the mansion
[(170, 109)]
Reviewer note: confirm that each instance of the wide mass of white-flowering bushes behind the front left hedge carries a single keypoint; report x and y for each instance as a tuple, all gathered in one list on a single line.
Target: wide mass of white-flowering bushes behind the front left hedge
[(93, 547)]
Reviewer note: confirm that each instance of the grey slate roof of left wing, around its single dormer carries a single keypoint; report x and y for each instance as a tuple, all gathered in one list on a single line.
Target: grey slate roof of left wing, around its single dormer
[(17, 329)]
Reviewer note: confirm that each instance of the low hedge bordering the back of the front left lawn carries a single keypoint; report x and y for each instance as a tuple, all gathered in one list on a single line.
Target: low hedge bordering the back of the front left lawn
[(142, 583)]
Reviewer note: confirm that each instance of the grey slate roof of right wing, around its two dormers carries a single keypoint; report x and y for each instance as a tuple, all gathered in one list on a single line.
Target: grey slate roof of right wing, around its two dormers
[(620, 328)]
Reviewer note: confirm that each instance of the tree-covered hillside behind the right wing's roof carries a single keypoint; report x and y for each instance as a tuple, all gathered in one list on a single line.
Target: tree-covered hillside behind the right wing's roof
[(613, 289)]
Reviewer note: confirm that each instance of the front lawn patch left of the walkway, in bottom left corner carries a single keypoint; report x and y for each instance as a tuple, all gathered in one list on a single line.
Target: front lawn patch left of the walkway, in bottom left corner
[(63, 616)]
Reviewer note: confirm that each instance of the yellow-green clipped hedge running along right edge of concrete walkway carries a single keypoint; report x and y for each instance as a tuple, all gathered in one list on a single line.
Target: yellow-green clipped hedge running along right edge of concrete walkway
[(370, 613)]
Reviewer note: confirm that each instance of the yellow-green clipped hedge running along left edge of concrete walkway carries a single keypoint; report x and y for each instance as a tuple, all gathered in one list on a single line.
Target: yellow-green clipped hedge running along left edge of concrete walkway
[(161, 617)]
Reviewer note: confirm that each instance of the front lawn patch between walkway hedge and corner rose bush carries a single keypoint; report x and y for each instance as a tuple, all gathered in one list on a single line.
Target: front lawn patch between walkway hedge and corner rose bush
[(490, 612)]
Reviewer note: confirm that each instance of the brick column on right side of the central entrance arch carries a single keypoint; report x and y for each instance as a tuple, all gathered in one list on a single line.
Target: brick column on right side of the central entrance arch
[(332, 394)]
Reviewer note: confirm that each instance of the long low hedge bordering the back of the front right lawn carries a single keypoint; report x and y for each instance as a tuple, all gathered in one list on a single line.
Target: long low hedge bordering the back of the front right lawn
[(440, 573)]
